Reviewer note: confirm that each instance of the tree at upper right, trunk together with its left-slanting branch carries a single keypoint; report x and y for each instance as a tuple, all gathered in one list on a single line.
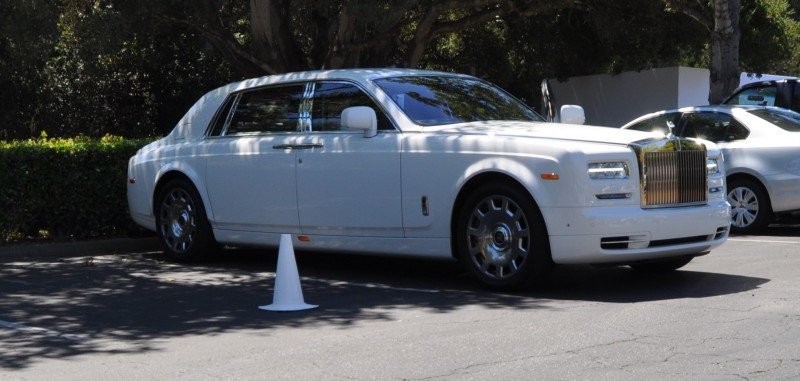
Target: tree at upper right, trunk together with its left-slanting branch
[(721, 19)]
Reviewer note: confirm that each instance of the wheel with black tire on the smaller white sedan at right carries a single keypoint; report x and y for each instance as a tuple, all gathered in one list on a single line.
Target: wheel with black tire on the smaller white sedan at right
[(751, 210)]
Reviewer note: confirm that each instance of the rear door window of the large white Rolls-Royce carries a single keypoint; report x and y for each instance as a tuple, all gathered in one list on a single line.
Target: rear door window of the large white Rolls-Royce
[(267, 110)]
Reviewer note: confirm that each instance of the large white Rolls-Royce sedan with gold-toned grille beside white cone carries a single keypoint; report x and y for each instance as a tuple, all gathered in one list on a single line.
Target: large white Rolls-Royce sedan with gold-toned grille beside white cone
[(430, 164)]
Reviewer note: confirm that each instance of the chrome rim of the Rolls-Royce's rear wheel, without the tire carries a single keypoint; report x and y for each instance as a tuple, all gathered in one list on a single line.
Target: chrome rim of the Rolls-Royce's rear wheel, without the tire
[(177, 220)]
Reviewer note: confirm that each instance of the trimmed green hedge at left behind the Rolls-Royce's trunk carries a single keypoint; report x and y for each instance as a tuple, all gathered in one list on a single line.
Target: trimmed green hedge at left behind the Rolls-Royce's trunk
[(65, 188)]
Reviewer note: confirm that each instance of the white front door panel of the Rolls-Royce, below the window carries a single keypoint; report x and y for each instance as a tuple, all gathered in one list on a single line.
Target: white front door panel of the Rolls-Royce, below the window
[(331, 202)]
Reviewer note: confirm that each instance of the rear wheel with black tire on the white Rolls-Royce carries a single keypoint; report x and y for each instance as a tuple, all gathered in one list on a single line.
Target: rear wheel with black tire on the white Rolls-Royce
[(182, 224)]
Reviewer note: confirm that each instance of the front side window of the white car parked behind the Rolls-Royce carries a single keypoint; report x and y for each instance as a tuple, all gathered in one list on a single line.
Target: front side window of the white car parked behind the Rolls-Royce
[(713, 126)]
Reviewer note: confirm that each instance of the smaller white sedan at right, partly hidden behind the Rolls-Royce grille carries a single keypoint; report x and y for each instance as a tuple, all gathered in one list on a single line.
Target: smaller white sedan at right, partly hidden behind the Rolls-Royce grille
[(761, 146)]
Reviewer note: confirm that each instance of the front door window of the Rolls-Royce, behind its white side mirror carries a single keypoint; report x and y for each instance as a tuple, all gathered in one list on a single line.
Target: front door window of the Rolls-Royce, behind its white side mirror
[(331, 98)]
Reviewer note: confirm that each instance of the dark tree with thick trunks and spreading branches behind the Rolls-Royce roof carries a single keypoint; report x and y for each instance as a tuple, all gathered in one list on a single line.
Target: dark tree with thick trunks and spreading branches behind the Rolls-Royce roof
[(294, 35)]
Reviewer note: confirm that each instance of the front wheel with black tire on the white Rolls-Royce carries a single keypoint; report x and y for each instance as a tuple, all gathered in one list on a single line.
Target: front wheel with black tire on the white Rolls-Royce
[(507, 248)]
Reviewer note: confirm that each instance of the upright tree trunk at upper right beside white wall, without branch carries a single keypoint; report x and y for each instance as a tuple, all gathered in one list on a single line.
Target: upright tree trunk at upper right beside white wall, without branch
[(724, 50)]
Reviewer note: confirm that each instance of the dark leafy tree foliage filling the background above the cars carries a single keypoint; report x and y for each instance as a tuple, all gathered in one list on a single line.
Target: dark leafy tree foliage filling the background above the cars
[(94, 67)]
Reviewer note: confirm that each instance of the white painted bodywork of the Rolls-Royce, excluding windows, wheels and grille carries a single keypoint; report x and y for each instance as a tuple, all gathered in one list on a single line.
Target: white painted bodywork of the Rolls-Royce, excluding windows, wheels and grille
[(363, 195)]
